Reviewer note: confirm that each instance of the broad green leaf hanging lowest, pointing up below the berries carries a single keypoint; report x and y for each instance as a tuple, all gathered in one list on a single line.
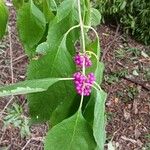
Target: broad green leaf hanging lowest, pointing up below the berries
[(73, 133)]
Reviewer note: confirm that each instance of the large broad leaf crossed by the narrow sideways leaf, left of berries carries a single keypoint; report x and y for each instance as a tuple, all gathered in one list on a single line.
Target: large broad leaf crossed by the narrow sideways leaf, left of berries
[(43, 104)]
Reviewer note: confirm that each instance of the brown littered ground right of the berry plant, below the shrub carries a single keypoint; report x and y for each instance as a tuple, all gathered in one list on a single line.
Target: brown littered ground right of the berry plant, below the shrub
[(128, 103)]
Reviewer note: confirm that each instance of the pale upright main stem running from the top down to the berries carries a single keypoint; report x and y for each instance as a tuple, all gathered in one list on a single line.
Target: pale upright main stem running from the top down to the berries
[(82, 34)]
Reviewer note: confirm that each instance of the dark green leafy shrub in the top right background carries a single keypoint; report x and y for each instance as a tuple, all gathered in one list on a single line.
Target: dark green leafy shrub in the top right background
[(134, 16)]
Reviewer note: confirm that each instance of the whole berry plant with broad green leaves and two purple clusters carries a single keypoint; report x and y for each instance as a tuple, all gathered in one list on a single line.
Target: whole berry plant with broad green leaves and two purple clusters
[(62, 85)]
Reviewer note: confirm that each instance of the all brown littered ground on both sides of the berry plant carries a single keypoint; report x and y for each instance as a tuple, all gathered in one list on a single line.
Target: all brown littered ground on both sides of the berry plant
[(126, 80)]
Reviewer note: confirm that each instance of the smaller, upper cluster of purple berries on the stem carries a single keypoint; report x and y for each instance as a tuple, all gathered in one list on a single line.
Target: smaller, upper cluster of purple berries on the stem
[(80, 58)]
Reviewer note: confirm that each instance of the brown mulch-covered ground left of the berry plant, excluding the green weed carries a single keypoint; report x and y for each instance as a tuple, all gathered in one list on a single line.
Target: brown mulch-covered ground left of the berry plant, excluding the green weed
[(10, 138)]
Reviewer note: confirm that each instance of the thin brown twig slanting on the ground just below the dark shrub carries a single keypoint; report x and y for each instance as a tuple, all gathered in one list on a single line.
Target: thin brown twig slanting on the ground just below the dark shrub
[(110, 43)]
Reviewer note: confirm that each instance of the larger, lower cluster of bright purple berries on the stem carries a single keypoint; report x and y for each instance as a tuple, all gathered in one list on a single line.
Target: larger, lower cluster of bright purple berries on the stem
[(83, 83)]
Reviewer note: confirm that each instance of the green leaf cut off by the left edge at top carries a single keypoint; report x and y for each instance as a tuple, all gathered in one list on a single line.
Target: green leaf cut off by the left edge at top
[(3, 18)]
